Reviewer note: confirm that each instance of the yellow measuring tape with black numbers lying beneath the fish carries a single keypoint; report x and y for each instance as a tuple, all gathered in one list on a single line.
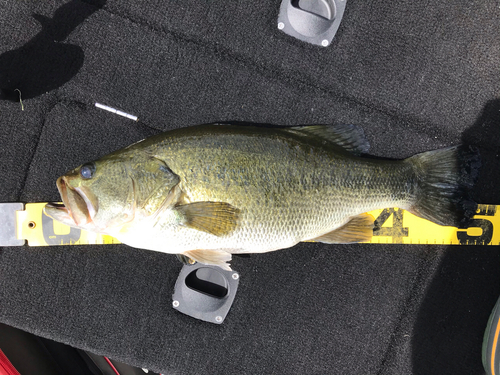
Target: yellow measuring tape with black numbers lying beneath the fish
[(392, 225)]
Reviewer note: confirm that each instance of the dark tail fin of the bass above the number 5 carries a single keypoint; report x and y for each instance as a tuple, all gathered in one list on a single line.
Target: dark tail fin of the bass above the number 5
[(445, 179)]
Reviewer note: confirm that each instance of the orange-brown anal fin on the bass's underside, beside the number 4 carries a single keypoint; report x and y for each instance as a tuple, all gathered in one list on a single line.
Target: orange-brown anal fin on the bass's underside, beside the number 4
[(358, 229)]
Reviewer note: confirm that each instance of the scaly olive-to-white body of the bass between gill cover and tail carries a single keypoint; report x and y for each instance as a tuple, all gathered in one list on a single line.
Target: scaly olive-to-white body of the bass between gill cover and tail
[(288, 188)]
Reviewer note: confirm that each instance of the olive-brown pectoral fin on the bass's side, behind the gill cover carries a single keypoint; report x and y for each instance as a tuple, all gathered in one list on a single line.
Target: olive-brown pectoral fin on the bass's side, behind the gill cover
[(217, 218)]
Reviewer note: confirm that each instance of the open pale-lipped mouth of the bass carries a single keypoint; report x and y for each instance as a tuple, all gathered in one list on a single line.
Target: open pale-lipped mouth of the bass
[(76, 202)]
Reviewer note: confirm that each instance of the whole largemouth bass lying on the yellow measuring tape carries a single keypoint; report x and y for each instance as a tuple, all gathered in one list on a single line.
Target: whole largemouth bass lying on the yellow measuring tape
[(209, 191)]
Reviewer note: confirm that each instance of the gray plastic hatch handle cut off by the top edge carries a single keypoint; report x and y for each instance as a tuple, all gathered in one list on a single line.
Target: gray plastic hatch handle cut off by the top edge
[(311, 21)]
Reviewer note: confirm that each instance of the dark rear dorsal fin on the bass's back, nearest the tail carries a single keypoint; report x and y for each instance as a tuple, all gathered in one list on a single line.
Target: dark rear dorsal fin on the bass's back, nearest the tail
[(349, 137)]
